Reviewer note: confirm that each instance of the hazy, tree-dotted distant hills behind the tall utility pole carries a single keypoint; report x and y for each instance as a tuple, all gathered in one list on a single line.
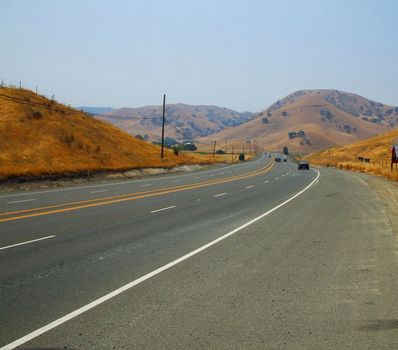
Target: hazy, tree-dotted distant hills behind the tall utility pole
[(184, 122)]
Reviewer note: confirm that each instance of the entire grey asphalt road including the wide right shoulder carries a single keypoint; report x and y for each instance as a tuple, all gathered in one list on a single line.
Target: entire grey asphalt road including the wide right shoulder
[(318, 271)]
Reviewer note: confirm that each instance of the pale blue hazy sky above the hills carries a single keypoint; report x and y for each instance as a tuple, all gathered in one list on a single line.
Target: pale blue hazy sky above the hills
[(242, 55)]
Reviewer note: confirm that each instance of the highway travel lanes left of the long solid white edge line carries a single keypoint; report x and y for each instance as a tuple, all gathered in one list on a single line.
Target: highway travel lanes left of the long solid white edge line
[(71, 246)]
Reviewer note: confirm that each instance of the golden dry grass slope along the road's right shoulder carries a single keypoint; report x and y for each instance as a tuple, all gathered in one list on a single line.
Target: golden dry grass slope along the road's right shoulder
[(377, 149)]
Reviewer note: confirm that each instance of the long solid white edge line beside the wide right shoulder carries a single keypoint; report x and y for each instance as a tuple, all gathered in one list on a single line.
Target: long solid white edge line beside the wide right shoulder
[(128, 286)]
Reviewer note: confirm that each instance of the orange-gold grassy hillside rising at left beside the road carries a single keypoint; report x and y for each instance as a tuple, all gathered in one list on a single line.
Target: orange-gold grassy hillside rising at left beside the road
[(40, 137)]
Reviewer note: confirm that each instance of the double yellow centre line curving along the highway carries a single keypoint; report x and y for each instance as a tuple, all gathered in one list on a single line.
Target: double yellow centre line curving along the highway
[(61, 208)]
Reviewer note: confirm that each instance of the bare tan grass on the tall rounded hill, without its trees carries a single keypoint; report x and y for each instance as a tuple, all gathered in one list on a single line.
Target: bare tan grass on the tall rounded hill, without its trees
[(303, 114)]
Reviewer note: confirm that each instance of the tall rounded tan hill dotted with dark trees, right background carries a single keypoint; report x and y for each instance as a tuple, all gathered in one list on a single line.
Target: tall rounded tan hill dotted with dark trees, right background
[(324, 117)]
